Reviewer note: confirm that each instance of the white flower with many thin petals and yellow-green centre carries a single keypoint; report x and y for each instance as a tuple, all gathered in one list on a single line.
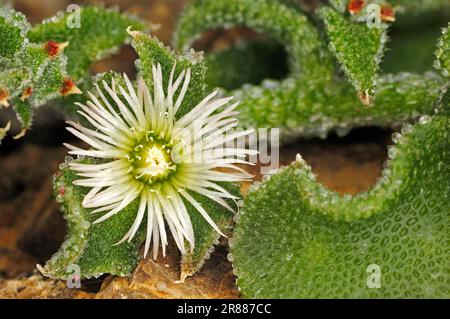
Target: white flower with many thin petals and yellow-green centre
[(145, 153)]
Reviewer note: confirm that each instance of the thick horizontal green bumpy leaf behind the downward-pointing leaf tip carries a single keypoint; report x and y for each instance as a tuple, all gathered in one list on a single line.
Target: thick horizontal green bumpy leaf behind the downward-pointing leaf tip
[(310, 108)]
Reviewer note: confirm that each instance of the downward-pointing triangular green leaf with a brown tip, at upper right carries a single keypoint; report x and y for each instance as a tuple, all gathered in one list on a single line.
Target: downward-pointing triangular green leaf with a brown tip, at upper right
[(357, 47)]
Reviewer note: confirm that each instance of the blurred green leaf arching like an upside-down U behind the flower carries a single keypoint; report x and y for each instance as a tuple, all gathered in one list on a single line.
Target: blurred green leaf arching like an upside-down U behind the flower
[(308, 56)]
